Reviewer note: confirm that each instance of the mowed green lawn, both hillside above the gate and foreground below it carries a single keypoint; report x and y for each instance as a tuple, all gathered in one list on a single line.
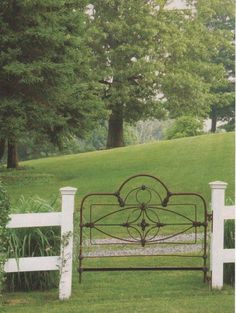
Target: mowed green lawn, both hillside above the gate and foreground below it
[(187, 164)]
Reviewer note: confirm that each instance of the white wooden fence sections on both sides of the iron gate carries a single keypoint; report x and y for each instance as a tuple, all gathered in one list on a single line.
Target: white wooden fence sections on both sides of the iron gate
[(64, 219)]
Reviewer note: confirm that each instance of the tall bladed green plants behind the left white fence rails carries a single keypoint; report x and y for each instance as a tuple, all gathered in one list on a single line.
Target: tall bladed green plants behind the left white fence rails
[(26, 242)]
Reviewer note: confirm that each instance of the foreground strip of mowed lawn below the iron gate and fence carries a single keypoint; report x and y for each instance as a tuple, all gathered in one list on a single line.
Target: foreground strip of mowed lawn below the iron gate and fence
[(175, 292)]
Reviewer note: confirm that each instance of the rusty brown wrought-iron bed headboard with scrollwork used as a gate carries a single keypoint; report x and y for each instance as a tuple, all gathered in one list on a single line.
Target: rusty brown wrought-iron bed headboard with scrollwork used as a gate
[(143, 224)]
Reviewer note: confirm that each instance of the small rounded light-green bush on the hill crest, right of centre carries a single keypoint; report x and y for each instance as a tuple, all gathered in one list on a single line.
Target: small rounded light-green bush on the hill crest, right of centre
[(185, 126)]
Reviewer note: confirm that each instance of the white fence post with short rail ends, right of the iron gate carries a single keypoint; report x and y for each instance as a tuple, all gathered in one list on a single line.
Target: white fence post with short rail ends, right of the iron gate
[(221, 212)]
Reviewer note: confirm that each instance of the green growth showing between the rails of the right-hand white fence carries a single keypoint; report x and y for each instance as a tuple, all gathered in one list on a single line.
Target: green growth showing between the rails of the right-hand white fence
[(229, 243)]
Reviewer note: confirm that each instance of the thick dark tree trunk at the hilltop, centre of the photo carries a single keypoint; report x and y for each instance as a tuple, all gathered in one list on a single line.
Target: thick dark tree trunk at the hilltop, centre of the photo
[(115, 136)]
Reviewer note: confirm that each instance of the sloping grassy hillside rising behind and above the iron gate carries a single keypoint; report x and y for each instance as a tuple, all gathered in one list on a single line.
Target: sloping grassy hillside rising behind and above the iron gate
[(186, 164)]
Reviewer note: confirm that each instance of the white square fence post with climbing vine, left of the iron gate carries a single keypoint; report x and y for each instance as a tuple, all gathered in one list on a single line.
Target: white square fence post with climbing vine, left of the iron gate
[(68, 199)]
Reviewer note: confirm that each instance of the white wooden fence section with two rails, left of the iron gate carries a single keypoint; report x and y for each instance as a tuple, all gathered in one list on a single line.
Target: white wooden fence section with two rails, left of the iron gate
[(63, 263)]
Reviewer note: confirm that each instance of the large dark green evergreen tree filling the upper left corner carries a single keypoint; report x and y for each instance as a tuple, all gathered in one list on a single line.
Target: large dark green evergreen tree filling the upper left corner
[(48, 88)]
